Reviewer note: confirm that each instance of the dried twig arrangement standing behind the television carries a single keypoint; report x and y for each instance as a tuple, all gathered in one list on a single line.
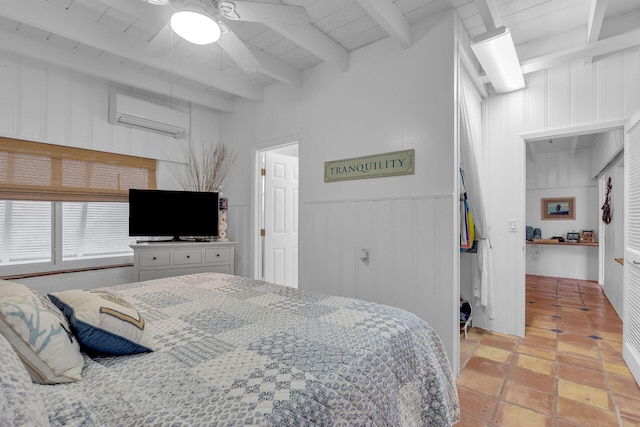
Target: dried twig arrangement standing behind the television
[(205, 171)]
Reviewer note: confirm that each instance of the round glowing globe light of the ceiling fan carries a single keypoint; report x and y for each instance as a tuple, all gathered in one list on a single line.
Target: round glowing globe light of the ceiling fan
[(193, 24)]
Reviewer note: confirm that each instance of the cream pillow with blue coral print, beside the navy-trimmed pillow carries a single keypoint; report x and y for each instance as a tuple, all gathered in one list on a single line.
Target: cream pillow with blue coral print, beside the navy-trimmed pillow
[(39, 334)]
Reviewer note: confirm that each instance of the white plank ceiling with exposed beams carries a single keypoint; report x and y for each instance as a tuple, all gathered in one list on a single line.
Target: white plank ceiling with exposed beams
[(116, 39)]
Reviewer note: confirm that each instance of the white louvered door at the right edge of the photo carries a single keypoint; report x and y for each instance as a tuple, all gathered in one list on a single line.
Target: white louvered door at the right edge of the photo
[(631, 316)]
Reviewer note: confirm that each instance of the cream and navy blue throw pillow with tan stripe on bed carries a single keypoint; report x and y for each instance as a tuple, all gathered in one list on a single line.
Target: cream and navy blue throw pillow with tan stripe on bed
[(104, 322)]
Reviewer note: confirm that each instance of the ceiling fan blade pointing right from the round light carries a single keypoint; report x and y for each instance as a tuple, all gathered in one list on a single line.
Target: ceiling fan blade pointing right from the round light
[(262, 12)]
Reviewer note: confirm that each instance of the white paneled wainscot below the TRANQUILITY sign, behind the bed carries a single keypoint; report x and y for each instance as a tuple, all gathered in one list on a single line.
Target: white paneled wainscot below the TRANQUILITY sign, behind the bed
[(411, 250)]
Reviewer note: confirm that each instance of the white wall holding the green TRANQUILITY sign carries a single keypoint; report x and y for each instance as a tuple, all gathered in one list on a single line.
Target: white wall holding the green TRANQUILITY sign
[(390, 99)]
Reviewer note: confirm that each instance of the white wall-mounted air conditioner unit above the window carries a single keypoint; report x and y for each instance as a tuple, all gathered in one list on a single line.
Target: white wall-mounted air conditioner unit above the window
[(127, 111)]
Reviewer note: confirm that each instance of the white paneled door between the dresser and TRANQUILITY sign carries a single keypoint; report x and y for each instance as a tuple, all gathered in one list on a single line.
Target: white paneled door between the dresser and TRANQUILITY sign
[(281, 219)]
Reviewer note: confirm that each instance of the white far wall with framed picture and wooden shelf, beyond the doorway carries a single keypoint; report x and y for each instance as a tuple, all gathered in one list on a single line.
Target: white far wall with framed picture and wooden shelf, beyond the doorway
[(556, 174)]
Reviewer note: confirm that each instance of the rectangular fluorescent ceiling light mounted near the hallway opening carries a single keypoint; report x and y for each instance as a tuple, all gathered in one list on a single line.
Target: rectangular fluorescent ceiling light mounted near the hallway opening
[(497, 55)]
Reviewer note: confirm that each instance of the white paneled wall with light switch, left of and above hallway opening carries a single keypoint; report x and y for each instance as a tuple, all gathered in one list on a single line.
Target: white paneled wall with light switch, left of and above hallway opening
[(566, 95)]
